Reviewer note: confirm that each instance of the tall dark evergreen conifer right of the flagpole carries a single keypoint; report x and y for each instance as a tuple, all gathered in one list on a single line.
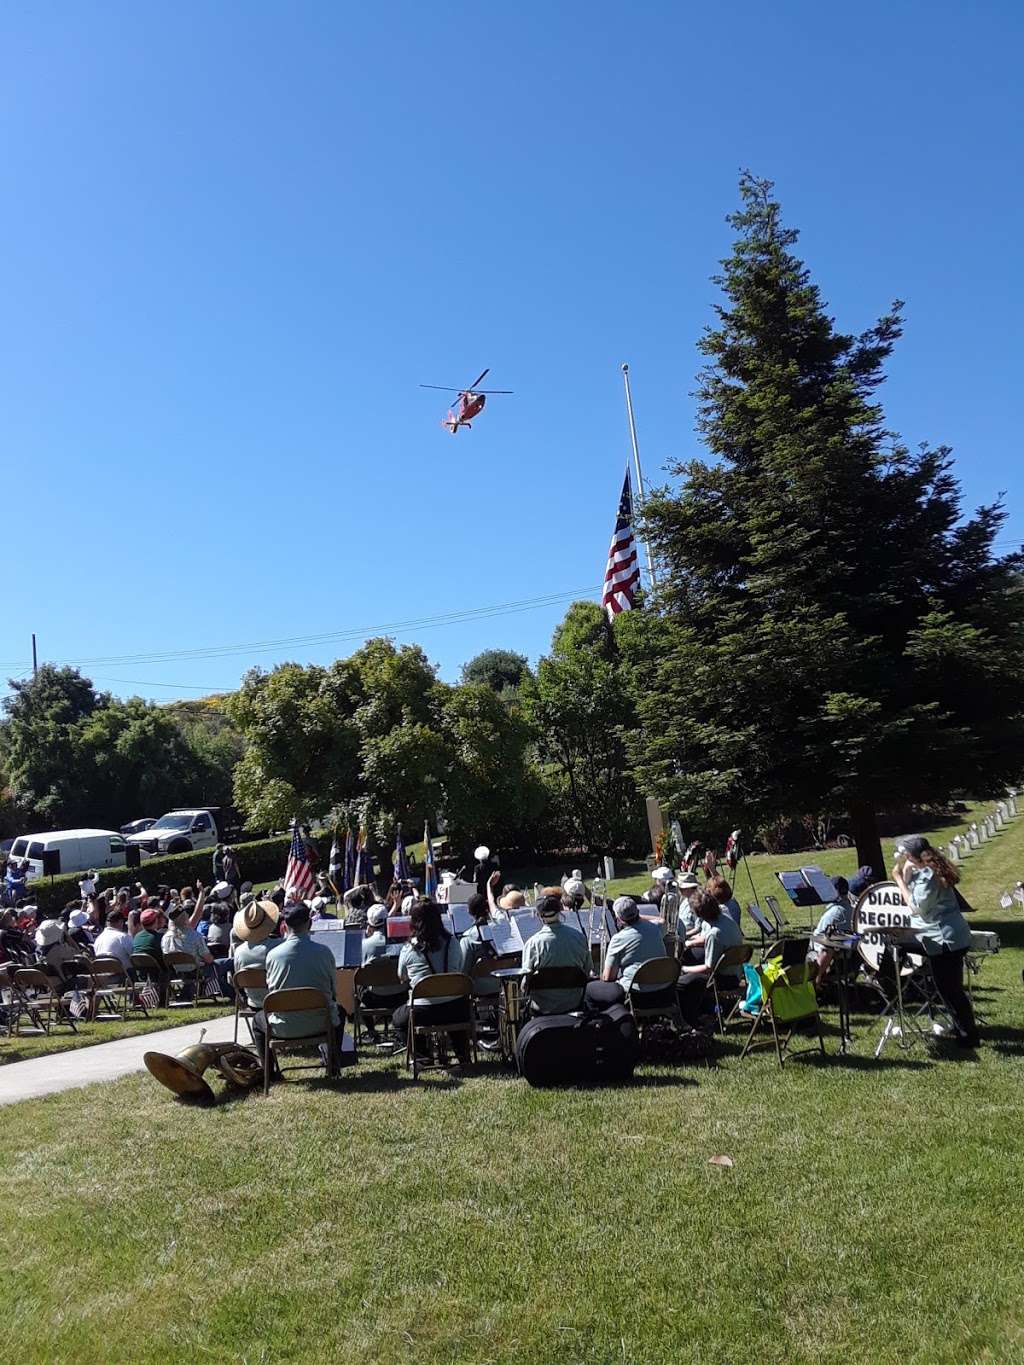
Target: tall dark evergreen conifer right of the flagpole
[(832, 635)]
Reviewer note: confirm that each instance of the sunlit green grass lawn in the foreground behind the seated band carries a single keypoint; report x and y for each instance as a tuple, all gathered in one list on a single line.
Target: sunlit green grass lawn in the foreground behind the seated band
[(873, 1211)]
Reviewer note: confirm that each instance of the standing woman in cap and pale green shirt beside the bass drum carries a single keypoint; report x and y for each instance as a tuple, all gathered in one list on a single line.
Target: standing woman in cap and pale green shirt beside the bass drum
[(928, 882)]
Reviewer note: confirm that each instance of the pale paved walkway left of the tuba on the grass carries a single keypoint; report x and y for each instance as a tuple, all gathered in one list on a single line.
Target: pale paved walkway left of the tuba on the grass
[(103, 1061)]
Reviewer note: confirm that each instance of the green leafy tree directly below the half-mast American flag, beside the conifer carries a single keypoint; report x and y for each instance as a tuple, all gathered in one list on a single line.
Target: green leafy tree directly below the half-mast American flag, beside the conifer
[(581, 709)]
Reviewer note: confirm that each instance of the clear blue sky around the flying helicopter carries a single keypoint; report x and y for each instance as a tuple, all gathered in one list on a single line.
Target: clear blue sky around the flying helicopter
[(237, 237)]
